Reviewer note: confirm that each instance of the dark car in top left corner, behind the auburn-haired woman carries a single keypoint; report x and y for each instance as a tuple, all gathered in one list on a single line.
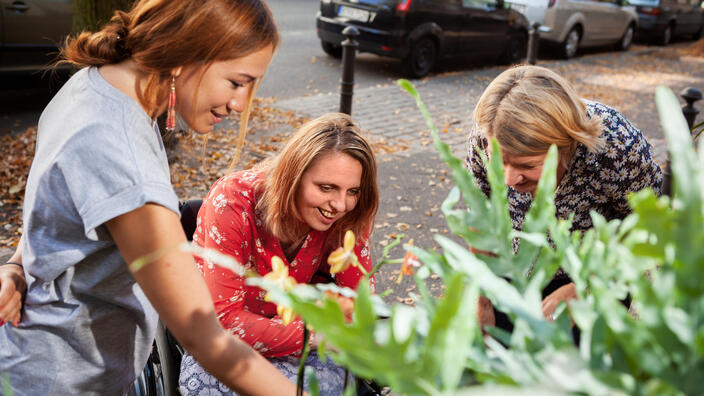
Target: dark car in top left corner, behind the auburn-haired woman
[(31, 31)]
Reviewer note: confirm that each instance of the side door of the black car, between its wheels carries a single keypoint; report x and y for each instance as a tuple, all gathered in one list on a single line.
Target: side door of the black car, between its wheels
[(485, 27)]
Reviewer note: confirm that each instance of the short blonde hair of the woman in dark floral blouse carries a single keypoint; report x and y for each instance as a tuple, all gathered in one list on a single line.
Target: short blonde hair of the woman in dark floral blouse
[(529, 108)]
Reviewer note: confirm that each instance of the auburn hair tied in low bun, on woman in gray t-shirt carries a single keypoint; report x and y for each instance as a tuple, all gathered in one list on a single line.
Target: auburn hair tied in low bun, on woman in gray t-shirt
[(161, 35)]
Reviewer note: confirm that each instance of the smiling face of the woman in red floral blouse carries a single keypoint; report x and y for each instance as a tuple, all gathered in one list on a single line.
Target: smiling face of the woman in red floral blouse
[(329, 189)]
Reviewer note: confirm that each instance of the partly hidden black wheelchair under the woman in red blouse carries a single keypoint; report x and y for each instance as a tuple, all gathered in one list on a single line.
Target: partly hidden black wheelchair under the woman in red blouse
[(160, 375)]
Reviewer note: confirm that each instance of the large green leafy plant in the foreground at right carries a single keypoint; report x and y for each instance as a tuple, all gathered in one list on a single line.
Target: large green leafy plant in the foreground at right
[(437, 347)]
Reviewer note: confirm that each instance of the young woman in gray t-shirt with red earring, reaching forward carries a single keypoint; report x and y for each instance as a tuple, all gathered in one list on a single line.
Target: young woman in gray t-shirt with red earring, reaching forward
[(99, 196)]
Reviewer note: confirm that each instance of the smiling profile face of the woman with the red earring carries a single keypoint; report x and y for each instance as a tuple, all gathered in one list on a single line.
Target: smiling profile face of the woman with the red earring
[(204, 98)]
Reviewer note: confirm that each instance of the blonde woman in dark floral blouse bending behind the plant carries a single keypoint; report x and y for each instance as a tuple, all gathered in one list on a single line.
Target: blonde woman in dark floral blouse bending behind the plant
[(602, 156)]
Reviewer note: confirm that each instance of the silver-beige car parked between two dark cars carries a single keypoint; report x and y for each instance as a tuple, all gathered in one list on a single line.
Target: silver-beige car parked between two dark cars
[(573, 24)]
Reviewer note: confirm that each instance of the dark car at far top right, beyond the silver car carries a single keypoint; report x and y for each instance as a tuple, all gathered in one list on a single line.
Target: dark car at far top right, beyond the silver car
[(664, 19)]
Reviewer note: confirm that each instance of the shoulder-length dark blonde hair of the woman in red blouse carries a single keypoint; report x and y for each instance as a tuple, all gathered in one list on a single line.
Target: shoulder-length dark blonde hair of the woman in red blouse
[(282, 174)]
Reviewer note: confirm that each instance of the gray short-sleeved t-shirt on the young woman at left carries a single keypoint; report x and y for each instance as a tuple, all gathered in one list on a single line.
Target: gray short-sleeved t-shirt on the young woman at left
[(87, 326)]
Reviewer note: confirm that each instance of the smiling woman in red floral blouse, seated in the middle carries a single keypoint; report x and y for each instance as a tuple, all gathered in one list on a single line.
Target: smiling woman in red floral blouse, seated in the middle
[(295, 206)]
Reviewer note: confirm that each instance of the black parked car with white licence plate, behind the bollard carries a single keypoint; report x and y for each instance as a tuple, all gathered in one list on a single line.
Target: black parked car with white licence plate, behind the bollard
[(422, 31)]
